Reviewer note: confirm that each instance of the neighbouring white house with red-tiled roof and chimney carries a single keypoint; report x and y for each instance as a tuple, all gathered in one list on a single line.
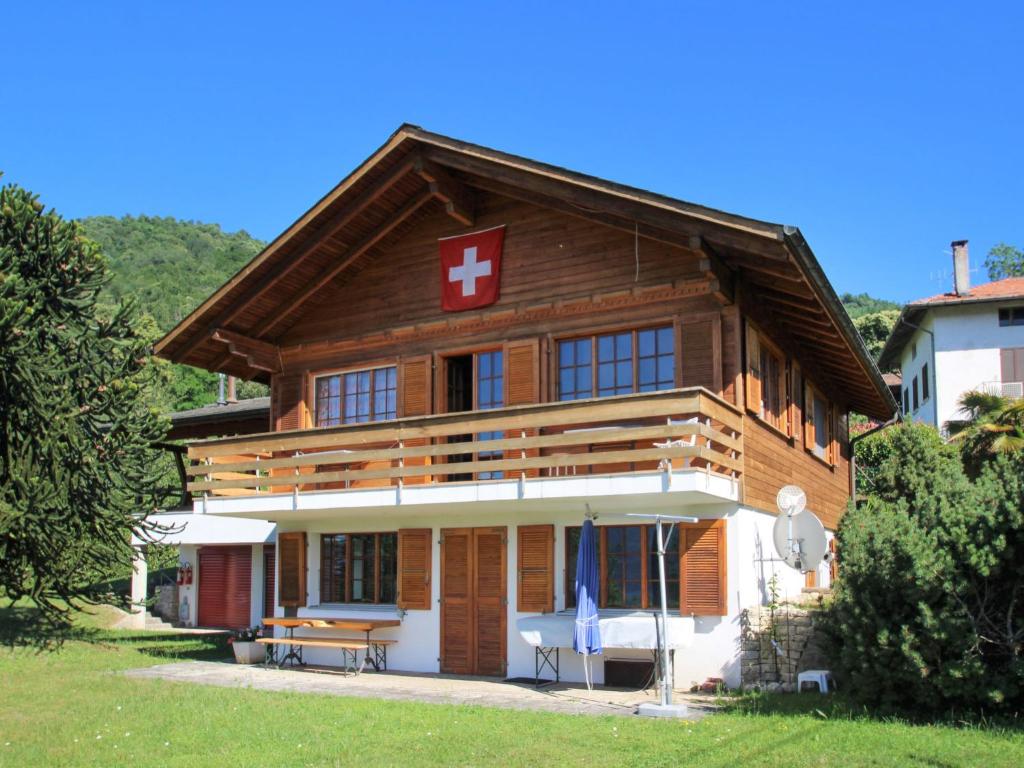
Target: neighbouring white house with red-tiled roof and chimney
[(969, 339)]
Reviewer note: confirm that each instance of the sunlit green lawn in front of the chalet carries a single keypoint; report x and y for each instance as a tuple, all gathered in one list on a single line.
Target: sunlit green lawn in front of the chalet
[(70, 708)]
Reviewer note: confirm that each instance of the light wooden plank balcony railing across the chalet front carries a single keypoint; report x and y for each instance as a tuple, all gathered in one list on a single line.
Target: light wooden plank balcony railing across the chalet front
[(669, 431)]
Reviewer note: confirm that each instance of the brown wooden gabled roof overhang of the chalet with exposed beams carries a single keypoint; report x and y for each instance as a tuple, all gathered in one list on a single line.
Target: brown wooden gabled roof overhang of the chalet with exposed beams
[(769, 269)]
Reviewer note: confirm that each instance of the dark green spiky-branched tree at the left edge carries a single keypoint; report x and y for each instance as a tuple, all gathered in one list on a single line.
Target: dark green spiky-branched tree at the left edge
[(78, 474)]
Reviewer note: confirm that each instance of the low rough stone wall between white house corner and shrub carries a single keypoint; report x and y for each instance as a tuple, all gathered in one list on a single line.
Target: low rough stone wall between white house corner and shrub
[(778, 644)]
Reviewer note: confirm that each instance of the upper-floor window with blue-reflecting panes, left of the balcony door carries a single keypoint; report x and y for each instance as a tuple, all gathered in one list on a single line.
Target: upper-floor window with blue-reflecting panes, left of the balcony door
[(357, 397)]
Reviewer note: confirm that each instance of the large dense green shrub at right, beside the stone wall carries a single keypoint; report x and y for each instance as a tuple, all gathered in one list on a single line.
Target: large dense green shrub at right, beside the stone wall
[(929, 612)]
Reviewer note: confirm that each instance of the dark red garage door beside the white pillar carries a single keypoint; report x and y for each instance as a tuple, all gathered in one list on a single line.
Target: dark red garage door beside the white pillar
[(225, 586)]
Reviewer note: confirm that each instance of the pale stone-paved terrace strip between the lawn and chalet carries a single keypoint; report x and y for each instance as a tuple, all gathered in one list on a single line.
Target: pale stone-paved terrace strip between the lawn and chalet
[(566, 699)]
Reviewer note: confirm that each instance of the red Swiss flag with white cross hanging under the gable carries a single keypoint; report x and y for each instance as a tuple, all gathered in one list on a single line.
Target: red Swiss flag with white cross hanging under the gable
[(472, 269)]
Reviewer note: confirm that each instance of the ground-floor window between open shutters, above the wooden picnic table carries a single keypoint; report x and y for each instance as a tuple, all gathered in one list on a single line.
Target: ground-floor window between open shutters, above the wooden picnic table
[(359, 568)]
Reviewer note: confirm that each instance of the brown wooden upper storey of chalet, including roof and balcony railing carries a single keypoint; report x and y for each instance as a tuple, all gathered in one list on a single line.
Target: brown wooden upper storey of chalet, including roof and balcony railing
[(355, 286)]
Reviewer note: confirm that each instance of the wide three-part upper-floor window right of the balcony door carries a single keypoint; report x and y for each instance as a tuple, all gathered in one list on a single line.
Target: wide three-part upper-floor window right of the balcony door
[(642, 361)]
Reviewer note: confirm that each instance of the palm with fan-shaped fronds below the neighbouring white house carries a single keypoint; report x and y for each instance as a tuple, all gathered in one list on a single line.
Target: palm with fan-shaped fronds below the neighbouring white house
[(993, 425)]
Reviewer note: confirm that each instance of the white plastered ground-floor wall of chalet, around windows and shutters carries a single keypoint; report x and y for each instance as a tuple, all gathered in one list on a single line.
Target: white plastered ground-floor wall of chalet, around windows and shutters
[(716, 648)]
